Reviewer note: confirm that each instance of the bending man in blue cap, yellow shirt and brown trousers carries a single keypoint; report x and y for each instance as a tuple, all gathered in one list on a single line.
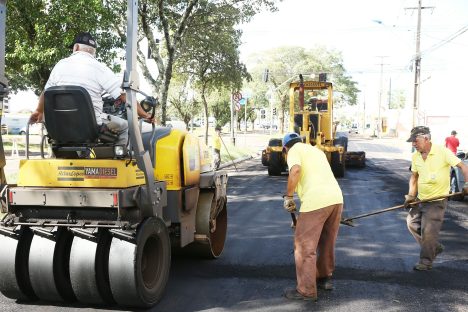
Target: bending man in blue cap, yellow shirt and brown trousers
[(317, 226)]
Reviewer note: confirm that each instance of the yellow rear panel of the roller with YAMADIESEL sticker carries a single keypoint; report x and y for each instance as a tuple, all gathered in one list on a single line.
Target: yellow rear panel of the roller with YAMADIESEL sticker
[(96, 173)]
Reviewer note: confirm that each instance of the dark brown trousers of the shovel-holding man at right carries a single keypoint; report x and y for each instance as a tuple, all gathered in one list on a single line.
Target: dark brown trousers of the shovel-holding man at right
[(424, 223)]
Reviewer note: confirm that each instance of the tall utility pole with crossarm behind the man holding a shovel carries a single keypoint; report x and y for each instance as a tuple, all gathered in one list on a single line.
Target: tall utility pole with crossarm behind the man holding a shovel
[(417, 64)]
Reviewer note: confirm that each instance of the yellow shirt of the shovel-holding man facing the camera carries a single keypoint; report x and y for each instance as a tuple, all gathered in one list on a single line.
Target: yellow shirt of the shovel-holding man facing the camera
[(434, 172)]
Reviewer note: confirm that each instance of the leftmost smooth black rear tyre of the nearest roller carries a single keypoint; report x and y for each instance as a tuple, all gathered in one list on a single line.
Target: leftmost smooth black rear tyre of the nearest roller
[(14, 274)]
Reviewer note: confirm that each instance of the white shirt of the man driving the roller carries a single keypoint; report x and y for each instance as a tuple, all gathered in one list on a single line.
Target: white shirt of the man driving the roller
[(82, 69)]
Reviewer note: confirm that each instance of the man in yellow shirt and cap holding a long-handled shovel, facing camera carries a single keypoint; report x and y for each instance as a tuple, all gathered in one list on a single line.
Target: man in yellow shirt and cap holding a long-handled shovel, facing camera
[(430, 177)]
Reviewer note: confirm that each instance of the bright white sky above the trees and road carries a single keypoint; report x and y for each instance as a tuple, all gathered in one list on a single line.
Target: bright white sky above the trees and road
[(370, 33)]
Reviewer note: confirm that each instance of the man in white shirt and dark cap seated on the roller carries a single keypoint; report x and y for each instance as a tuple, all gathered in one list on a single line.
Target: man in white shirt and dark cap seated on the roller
[(83, 69)]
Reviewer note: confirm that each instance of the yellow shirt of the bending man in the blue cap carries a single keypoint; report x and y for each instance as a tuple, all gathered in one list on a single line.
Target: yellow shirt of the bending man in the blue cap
[(317, 187)]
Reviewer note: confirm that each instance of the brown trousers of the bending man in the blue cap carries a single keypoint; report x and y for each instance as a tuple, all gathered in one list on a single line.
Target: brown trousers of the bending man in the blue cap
[(314, 246)]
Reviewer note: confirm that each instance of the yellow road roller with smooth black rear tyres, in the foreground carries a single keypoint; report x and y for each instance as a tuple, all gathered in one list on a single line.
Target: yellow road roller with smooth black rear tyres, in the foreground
[(96, 223)]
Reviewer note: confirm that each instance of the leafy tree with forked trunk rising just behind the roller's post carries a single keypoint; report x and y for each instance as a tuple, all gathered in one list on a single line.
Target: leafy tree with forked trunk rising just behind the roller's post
[(187, 26)]
